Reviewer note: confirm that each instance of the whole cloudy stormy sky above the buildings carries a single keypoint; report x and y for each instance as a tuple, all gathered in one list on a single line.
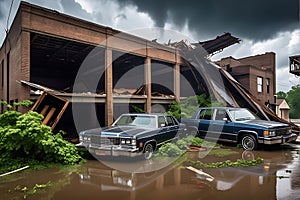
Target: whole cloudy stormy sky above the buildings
[(262, 25)]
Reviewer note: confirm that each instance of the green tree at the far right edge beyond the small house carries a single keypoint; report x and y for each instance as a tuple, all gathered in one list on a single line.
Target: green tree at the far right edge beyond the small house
[(293, 99)]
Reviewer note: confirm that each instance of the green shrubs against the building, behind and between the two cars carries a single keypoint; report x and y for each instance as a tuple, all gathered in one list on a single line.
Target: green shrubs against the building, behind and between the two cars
[(187, 107)]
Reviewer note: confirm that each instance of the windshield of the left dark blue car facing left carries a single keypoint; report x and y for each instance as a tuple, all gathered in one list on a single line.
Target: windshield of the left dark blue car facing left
[(137, 120)]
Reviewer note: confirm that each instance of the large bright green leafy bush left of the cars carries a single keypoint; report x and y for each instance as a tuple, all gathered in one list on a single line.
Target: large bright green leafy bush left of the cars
[(25, 140)]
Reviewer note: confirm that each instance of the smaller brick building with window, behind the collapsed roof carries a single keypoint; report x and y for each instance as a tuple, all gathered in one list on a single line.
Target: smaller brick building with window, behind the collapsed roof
[(256, 73)]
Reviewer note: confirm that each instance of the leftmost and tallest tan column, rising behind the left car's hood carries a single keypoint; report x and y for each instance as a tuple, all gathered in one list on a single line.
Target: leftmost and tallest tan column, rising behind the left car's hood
[(108, 87)]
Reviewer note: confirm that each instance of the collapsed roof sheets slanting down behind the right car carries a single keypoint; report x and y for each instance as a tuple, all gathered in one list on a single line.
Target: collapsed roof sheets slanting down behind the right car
[(223, 87)]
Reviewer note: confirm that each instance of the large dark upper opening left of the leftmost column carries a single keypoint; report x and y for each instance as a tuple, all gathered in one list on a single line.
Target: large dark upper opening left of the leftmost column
[(56, 61)]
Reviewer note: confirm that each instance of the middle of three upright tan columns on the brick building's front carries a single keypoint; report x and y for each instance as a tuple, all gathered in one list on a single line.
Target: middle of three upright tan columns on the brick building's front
[(148, 84)]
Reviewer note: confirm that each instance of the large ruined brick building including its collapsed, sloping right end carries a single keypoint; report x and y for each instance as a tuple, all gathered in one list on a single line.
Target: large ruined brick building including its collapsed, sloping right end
[(44, 50)]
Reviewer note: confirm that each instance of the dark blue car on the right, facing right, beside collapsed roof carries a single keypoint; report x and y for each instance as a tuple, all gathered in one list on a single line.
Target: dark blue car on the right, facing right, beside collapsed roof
[(238, 125)]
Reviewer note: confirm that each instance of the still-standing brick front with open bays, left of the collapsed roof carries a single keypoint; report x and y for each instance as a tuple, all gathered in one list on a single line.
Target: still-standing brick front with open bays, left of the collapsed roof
[(49, 48)]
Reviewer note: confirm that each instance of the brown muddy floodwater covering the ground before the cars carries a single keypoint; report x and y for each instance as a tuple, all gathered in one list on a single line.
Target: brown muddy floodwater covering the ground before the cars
[(277, 178)]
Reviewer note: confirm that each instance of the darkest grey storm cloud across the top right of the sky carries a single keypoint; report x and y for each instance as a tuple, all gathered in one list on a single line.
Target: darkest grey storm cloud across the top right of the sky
[(255, 19)]
